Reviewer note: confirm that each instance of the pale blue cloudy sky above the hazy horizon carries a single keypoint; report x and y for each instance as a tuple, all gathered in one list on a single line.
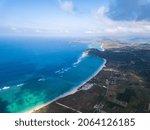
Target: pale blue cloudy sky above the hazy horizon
[(74, 17)]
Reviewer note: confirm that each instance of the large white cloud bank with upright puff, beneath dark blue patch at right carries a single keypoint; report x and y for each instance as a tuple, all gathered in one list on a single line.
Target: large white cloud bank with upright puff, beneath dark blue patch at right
[(109, 26)]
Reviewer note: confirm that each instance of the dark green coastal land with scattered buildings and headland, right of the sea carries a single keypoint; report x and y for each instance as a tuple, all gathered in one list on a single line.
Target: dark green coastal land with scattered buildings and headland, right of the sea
[(121, 86)]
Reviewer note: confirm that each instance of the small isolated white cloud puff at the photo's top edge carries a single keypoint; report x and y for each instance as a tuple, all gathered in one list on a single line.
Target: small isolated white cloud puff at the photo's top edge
[(66, 5)]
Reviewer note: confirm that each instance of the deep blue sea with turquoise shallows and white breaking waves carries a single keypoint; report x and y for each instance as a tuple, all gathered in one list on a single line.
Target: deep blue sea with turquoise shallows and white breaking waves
[(34, 71)]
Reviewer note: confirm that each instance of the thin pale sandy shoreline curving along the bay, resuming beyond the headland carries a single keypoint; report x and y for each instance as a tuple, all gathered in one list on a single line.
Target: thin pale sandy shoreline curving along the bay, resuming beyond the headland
[(74, 90)]
